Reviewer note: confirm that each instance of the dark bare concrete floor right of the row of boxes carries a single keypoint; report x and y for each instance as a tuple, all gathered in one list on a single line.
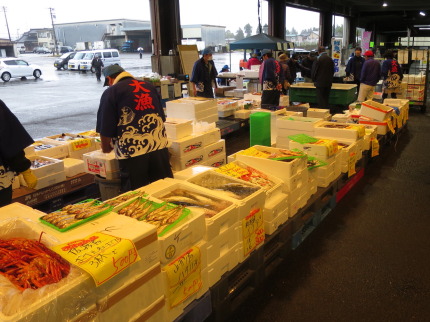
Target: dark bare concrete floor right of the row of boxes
[(369, 259)]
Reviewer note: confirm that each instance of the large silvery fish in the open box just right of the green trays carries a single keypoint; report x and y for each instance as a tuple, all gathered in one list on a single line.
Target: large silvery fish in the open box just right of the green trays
[(208, 205)]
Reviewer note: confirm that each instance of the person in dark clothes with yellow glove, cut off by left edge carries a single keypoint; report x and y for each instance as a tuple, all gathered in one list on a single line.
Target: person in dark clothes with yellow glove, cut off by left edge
[(13, 140)]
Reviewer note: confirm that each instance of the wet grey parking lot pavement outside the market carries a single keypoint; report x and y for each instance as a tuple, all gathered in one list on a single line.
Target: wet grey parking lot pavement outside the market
[(67, 101)]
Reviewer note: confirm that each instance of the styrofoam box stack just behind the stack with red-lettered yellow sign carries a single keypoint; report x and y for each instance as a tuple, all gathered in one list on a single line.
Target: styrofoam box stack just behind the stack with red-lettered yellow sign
[(294, 174)]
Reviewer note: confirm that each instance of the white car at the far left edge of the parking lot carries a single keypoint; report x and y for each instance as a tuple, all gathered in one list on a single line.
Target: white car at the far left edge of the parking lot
[(16, 68)]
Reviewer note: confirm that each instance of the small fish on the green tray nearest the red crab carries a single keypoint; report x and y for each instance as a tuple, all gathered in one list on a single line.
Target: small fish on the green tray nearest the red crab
[(73, 214)]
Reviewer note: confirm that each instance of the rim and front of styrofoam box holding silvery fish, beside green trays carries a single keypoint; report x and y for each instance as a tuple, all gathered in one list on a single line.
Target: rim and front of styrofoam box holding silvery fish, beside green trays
[(214, 225)]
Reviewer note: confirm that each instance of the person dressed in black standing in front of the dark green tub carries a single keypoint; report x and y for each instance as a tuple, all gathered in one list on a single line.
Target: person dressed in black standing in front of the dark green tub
[(322, 76)]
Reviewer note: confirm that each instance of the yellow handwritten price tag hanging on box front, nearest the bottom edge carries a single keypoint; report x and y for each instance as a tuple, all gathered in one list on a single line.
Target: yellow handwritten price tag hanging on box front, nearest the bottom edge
[(184, 276)]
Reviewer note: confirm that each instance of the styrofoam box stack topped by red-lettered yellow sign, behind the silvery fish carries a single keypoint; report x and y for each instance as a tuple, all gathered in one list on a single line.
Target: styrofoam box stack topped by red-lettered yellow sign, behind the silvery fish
[(276, 205)]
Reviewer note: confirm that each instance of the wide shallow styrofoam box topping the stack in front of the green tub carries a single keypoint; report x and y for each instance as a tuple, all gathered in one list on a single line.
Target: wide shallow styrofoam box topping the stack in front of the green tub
[(350, 132)]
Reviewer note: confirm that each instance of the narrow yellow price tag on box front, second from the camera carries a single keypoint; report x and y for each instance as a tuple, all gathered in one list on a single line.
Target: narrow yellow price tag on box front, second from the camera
[(252, 231)]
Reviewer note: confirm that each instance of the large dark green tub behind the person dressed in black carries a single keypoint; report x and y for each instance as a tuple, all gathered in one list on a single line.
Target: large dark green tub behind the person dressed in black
[(340, 94)]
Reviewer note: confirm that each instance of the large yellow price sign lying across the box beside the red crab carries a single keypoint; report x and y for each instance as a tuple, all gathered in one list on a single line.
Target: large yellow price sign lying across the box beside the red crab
[(102, 256)]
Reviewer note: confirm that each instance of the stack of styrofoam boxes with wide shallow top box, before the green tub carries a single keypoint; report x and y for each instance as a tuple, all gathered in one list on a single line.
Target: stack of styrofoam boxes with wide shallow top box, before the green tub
[(350, 138)]
